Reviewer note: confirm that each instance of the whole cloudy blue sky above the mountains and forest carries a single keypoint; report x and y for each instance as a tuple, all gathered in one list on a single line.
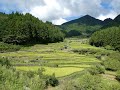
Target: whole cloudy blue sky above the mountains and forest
[(60, 11)]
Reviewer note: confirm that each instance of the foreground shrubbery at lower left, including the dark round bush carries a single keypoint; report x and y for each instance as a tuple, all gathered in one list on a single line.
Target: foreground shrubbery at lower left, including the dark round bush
[(11, 79)]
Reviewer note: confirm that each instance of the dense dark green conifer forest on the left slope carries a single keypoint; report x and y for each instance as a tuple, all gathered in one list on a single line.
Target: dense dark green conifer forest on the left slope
[(20, 29)]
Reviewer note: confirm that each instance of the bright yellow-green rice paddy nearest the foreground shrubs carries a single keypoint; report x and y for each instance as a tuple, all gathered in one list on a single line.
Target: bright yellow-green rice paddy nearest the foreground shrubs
[(59, 72)]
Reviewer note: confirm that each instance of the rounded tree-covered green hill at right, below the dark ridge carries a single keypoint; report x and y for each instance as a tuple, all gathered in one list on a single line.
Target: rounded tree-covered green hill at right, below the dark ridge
[(109, 36)]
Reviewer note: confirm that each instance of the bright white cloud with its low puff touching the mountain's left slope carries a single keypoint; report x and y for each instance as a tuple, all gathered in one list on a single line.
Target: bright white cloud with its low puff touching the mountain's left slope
[(51, 11)]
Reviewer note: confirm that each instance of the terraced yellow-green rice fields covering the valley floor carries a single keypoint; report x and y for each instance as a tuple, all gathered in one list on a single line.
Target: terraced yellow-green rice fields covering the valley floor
[(56, 58)]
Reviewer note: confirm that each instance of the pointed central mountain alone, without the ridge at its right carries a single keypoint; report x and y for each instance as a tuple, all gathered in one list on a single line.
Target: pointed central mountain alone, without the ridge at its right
[(85, 25)]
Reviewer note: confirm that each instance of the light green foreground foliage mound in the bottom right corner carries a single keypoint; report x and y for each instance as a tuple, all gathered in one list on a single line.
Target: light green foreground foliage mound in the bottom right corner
[(90, 82)]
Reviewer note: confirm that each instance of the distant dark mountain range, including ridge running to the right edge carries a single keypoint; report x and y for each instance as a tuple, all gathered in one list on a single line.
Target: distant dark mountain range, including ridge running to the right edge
[(87, 25)]
